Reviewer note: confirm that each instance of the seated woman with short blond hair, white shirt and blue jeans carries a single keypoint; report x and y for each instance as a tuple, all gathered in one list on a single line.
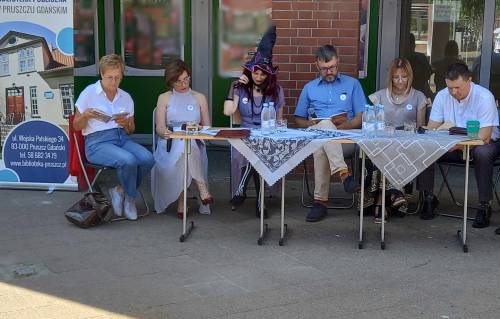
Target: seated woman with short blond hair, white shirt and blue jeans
[(105, 114)]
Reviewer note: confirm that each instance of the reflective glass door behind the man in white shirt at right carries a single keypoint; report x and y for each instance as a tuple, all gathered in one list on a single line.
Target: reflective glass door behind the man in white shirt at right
[(437, 33)]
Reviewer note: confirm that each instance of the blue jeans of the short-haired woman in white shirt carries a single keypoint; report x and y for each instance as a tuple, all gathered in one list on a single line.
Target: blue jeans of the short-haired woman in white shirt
[(114, 148)]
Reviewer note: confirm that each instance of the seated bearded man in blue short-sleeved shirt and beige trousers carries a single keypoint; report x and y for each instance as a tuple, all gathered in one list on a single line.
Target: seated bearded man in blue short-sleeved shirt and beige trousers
[(329, 94)]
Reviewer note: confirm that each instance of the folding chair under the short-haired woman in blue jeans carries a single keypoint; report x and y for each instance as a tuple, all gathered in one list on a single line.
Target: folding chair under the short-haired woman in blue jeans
[(92, 184)]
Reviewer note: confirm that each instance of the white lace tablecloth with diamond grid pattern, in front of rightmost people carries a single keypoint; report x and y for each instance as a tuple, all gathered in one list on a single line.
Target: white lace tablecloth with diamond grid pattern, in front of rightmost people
[(403, 156)]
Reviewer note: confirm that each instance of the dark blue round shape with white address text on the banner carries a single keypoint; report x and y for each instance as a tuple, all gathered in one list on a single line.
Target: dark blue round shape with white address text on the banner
[(37, 151)]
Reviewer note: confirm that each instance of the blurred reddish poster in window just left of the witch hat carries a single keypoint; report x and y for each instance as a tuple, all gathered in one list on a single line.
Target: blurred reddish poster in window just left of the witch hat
[(241, 26)]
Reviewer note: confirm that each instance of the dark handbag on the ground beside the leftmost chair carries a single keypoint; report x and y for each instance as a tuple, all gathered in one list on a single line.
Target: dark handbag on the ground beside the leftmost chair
[(89, 211)]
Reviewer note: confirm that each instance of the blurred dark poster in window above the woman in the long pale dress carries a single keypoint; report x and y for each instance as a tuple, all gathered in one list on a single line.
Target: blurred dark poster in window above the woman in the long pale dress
[(153, 34)]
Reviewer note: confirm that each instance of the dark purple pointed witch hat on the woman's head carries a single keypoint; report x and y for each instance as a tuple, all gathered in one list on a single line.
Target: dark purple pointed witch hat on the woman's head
[(264, 55)]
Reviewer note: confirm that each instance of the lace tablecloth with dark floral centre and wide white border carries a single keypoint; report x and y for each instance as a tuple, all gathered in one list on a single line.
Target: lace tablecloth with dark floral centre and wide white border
[(273, 156)]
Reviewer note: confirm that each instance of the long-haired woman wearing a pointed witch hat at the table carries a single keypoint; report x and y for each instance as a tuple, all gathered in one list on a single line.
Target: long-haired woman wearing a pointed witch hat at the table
[(257, 85)]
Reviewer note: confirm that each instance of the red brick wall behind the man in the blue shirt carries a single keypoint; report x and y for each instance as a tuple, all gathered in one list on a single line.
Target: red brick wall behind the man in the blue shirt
[(304, 25)]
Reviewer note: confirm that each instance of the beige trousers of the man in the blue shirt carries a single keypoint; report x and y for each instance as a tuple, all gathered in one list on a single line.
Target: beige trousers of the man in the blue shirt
[(328, 160)]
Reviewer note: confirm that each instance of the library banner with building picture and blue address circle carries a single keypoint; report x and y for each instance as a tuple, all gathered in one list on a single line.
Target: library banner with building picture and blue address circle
[(36, 93)]
